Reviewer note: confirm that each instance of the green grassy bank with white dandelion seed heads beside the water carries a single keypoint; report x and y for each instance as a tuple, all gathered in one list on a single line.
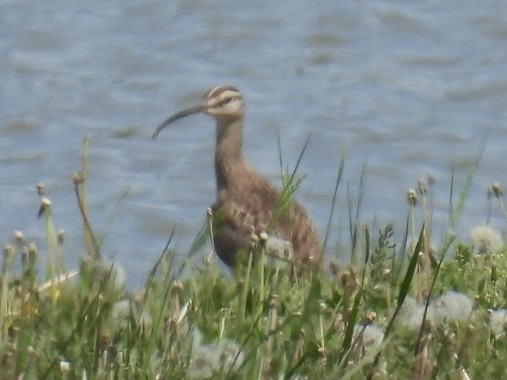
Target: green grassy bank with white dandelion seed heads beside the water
[(399, 310)]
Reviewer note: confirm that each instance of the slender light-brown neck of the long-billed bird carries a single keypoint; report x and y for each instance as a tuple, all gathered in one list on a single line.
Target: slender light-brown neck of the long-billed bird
[(229, 161)]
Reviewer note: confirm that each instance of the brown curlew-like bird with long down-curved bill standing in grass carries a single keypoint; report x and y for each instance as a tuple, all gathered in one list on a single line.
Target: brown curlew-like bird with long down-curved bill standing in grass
[(246, 203)]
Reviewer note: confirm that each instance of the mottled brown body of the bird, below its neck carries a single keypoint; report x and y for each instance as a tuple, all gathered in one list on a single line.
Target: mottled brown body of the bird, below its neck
[(251, 205)]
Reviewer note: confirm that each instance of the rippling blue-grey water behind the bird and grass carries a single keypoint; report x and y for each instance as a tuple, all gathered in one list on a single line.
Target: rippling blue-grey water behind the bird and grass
[(407, 88)]
